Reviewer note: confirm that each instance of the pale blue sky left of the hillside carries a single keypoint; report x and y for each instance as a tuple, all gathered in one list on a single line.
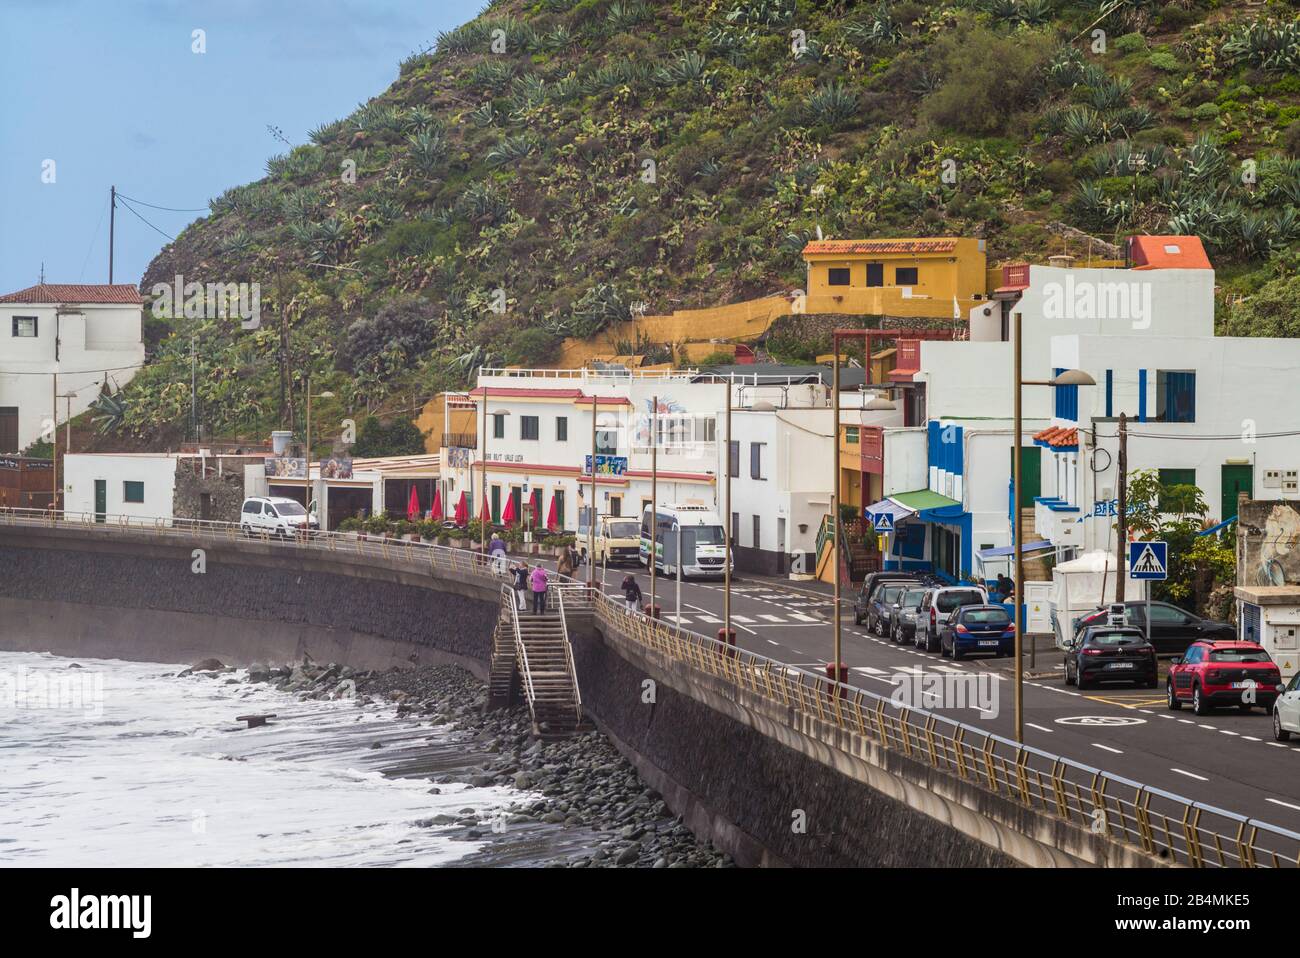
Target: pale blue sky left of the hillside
[(112, 93)]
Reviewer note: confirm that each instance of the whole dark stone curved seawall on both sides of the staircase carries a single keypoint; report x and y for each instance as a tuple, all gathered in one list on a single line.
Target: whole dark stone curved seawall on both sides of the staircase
[(768, 784)]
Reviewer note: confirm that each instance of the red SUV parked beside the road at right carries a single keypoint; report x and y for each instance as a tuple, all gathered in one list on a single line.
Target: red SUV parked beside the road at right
[(1224, 674)]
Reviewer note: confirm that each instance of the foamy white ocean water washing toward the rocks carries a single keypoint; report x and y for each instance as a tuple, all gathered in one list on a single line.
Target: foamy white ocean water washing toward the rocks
[(122, 764)]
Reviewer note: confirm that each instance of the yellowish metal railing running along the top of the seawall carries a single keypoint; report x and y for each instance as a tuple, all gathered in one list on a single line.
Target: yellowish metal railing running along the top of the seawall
[(1156, 821)]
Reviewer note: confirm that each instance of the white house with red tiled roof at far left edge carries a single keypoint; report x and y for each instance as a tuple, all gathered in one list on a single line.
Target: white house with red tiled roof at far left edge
[(59, 345)]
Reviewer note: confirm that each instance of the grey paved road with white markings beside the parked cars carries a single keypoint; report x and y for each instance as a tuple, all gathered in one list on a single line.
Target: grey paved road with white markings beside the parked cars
[(1228, 760)]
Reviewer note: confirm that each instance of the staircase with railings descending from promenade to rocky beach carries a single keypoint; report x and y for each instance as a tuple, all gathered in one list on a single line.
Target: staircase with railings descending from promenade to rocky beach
[(532, 654)]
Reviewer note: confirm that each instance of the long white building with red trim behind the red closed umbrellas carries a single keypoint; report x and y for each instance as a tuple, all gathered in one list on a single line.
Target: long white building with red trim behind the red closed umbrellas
[(540, 440)]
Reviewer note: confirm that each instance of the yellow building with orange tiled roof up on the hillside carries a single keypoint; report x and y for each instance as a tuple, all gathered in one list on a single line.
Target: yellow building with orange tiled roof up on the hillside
[(943, 278)]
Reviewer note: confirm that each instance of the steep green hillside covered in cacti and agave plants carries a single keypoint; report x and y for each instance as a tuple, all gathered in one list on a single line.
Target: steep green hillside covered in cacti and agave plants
[(584, 157)]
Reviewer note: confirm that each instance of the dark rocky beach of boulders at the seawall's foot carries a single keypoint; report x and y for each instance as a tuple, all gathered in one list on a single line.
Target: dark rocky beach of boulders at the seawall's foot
[(580, 803)]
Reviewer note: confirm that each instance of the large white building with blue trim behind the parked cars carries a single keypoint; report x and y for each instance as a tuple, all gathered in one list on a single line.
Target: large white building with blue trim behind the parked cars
[(1202, 410)]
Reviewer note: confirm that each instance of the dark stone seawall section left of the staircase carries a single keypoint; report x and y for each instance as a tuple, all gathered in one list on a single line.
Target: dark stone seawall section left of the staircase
[(137, 597)]
